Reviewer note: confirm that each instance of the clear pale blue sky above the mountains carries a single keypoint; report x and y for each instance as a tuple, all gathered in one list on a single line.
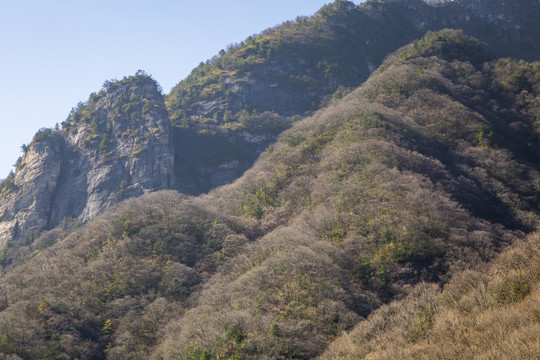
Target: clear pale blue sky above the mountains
[(55, 53)]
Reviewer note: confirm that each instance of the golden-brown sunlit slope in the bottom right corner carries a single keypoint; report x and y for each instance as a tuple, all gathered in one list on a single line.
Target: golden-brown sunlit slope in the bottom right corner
[(487, 313)]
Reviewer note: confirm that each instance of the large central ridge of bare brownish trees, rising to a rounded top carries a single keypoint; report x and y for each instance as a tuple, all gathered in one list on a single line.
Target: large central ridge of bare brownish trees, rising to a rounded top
[(409, 179)]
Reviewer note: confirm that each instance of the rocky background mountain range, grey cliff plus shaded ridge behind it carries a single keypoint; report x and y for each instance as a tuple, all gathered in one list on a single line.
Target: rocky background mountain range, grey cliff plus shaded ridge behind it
[(129, 139)]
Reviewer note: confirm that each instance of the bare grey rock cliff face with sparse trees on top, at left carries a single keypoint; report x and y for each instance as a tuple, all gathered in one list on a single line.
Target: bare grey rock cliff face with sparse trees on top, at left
[(115, 147)]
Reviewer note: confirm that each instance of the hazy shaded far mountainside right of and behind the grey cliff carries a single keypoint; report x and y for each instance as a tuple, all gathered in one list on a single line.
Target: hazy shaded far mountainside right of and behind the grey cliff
[(289, 71)]
